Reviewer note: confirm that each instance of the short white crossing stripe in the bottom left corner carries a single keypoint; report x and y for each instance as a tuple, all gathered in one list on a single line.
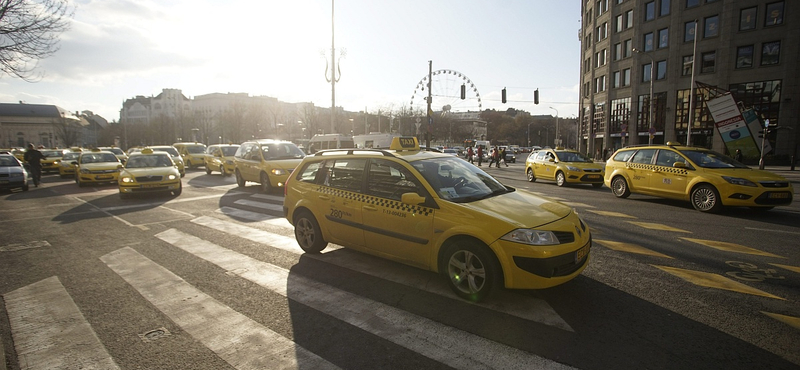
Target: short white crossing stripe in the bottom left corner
[(50, 332)]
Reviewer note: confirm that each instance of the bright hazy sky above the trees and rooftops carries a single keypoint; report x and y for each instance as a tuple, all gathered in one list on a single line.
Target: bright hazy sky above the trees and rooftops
[(117, 49)]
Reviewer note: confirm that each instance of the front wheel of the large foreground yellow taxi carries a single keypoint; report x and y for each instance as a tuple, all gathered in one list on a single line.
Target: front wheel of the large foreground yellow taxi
[(473, 272)]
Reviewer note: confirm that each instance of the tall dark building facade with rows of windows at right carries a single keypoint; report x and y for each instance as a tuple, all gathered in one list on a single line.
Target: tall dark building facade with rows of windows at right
[(639, 59)]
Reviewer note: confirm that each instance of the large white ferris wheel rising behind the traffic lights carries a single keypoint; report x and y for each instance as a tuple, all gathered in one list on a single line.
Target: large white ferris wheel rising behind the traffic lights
[(446, 85)]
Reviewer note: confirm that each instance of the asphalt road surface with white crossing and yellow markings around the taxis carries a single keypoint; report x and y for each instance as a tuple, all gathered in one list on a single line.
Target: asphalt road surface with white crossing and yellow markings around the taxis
[(213, 279)]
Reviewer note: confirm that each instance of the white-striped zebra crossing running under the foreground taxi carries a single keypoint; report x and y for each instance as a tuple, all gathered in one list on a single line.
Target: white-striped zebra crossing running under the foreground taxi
[(50, 332)]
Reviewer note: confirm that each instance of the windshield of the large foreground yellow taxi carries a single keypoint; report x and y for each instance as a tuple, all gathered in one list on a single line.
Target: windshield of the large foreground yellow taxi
[(459, 181)]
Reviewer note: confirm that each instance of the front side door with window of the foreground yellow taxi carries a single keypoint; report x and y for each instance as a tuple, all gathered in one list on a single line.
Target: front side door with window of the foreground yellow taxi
[(393, 228)]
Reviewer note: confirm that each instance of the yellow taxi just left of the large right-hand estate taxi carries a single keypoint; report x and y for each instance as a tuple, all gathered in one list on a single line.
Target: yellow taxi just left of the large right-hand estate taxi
[(563, 166)]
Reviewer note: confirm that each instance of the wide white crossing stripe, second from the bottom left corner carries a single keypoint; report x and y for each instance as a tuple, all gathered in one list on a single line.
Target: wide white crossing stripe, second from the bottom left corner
[(235, 338)]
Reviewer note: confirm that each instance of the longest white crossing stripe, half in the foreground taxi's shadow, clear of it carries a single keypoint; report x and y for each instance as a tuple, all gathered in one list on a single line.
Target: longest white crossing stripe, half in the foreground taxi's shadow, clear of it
[(448, 345)]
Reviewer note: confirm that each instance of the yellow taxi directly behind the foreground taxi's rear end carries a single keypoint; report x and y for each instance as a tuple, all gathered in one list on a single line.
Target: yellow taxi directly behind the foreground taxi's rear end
[(267, 162)]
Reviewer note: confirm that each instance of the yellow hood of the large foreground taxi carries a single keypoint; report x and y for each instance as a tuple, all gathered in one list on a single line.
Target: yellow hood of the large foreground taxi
[(521, 208)]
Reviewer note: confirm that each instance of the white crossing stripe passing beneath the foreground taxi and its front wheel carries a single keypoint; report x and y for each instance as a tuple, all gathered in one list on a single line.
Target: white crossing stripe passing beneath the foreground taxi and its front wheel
[(528, 308)]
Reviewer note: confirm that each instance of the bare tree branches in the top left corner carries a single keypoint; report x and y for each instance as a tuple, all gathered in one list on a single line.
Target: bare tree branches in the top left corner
[(29, 32)]
